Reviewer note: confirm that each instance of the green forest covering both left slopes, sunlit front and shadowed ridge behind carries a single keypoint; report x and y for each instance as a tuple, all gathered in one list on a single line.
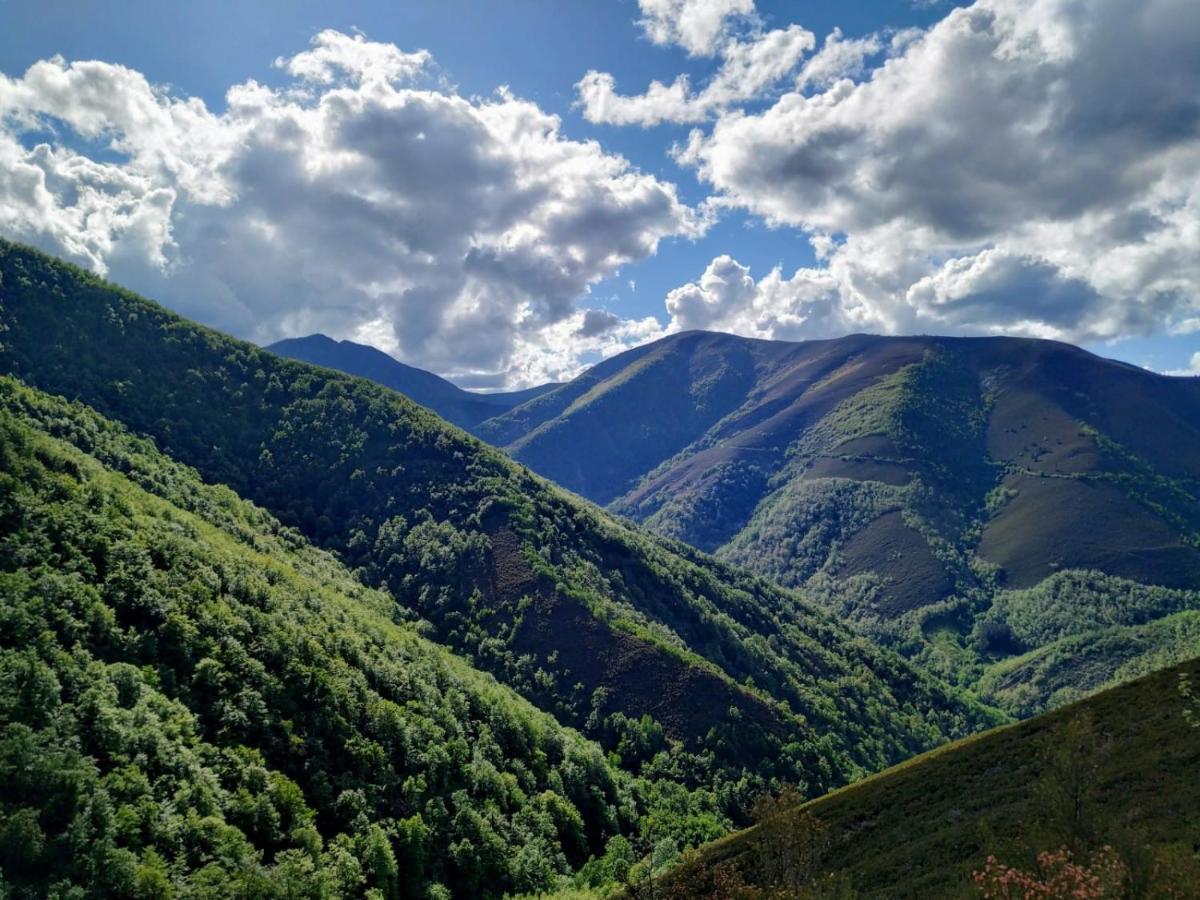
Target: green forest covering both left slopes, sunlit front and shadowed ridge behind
[(291, 671)]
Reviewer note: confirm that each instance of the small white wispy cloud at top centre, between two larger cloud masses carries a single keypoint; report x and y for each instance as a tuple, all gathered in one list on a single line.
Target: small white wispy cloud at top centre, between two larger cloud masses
[(752, 64)]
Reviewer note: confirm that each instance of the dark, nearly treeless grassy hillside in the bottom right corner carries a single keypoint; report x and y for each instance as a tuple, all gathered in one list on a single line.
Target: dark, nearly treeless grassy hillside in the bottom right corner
[(1118, 770)]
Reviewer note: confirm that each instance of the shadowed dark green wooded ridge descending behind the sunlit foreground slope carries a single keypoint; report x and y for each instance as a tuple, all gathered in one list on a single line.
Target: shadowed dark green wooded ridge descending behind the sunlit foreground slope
[(668, 657)]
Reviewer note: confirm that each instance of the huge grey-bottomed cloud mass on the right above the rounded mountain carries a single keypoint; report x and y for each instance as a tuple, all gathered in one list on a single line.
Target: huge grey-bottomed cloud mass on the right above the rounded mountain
[(1021, 167)]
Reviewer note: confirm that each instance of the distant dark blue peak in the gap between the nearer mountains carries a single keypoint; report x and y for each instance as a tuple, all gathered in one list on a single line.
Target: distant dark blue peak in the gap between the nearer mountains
[(453, 404)]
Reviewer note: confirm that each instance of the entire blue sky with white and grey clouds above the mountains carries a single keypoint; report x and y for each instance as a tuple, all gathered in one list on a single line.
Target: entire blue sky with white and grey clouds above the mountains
[(507, 193)]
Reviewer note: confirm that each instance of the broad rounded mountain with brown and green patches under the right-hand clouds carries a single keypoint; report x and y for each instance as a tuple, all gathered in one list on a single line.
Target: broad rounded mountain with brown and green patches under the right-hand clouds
[(1022, 515)]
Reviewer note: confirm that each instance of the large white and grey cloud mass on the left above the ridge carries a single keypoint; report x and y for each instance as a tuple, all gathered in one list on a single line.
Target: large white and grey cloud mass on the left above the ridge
[(458, 232)]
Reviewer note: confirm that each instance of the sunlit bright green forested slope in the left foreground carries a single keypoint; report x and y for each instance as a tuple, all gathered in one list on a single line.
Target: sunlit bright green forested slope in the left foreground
[(195, 701)]
